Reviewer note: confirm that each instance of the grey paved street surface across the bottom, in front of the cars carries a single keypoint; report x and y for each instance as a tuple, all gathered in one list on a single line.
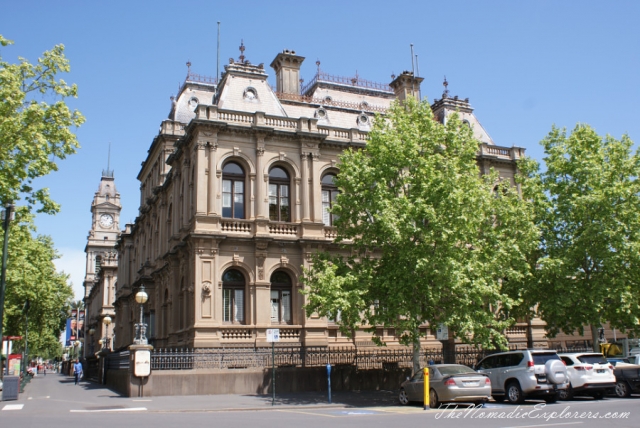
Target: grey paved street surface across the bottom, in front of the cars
[(54, 401)]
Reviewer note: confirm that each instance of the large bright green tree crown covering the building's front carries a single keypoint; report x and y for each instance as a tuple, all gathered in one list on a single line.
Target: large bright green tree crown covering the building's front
[(428, 239)]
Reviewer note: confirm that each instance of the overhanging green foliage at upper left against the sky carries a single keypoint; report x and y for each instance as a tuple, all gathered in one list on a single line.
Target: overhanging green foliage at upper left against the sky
[(34, 132)]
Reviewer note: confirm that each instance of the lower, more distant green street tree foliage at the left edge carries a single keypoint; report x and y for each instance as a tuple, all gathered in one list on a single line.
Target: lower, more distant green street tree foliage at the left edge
[(31, 275)]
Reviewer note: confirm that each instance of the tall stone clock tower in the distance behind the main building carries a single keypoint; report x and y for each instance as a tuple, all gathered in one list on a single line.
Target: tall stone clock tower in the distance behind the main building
[(102, 263)]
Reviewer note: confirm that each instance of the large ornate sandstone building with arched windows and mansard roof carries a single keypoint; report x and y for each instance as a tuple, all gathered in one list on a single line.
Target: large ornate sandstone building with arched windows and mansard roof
[(233, 201)]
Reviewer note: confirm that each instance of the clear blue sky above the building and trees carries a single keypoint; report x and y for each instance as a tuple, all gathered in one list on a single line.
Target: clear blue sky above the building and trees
[(524, 65)]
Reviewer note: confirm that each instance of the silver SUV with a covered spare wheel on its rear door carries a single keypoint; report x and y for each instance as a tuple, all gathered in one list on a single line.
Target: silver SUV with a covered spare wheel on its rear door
[(525, 373)]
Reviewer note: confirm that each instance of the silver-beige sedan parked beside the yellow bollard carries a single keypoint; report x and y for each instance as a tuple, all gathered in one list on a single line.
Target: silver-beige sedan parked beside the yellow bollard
[(447, 383)]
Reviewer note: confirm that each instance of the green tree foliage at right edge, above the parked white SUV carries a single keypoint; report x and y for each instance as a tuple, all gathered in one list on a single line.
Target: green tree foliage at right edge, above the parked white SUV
[(588, 211)]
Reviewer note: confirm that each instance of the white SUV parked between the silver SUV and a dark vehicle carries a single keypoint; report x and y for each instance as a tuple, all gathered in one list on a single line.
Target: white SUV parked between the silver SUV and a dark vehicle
[(589, 372)]
